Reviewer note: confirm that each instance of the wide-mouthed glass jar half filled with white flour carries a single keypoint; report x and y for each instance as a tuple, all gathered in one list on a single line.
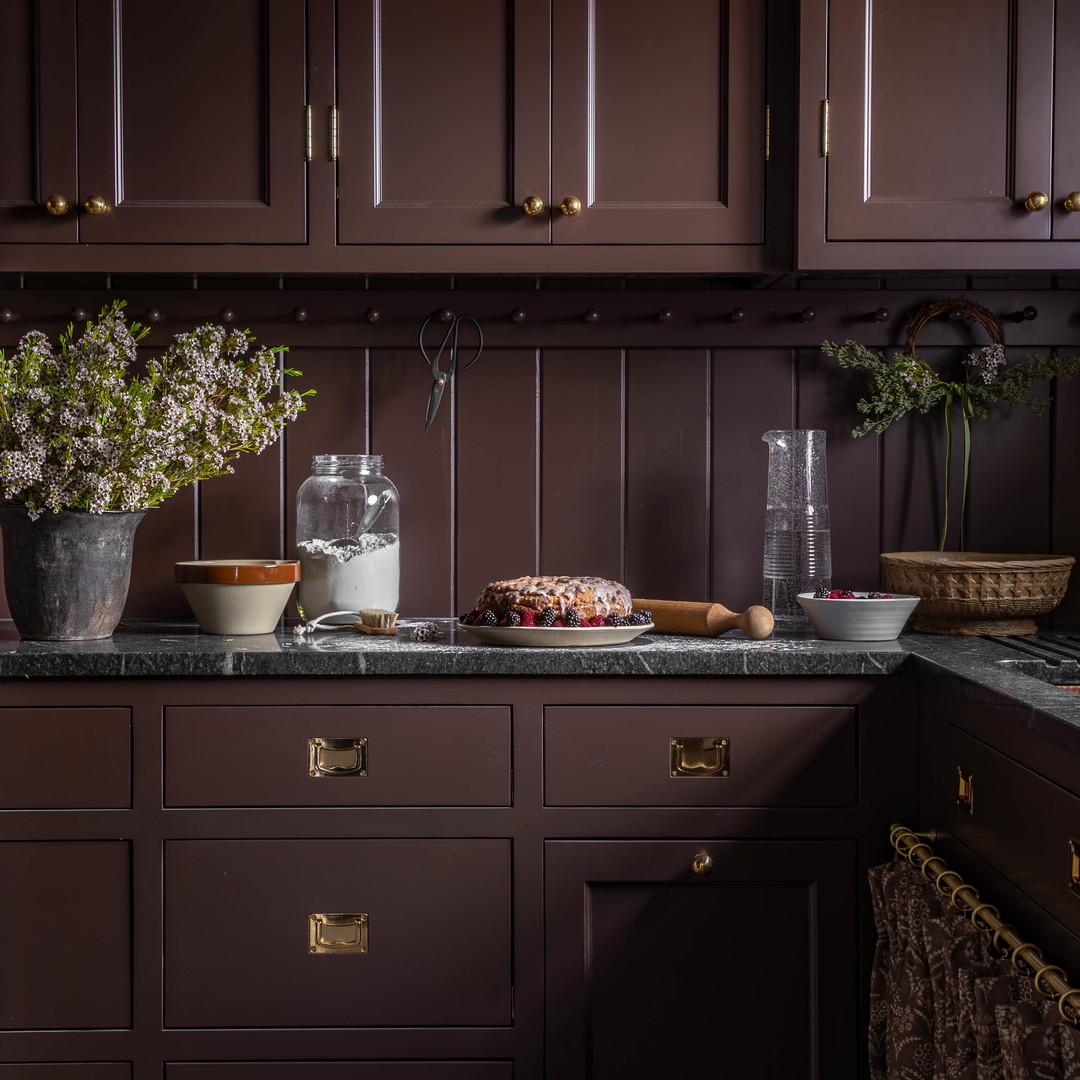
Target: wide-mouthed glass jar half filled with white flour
[(347, 537)]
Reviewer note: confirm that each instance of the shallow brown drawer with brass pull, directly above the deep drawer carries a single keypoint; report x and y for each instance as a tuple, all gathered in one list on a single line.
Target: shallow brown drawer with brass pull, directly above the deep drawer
[(317, 755)]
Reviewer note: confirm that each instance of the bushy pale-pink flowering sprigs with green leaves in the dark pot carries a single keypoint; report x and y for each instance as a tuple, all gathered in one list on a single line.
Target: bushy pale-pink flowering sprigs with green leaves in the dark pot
[(78, 431)]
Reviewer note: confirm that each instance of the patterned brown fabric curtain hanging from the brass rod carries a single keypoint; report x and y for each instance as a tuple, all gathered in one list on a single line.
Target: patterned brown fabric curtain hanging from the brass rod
[(943, 1007)]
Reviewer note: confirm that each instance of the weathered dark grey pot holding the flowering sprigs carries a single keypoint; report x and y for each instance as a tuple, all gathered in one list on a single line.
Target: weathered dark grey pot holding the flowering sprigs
[(66, 575)]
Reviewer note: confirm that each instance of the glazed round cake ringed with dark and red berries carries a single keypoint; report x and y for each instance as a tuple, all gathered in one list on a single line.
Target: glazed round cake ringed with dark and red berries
[(555, 602)]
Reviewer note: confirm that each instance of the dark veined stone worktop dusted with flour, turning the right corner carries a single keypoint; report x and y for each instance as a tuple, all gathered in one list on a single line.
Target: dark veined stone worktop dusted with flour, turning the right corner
[(169, 651)]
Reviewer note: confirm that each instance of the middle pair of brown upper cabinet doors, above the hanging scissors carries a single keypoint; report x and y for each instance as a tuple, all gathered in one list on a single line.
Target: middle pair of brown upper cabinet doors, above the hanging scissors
[(570, 123)]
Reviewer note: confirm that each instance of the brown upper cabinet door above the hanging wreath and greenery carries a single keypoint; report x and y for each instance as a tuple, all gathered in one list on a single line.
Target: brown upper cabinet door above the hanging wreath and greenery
[(940, 119)]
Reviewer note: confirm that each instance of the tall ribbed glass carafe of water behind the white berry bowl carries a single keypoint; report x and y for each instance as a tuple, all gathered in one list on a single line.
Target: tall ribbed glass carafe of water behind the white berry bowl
[(799, 551)]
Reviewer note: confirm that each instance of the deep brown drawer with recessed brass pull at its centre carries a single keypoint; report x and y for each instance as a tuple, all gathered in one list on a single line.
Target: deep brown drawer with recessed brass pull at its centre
[(242, 949)]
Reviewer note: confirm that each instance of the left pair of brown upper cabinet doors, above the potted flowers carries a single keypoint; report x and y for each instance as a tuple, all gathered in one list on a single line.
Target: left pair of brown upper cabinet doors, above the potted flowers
[(146, 125)]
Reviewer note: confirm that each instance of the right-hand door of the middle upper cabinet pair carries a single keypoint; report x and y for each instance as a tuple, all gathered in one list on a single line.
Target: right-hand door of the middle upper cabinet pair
[(658, 123)]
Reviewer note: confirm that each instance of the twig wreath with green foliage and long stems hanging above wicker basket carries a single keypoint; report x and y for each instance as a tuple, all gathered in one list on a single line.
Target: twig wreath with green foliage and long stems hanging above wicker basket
[(906, 382)]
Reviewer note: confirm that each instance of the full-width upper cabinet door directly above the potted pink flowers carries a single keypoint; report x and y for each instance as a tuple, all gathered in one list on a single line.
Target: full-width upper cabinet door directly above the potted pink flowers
[(192, 125)]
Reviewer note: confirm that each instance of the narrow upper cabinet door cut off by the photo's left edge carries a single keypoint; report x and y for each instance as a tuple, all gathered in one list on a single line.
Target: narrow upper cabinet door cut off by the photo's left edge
[(37, 86)]
